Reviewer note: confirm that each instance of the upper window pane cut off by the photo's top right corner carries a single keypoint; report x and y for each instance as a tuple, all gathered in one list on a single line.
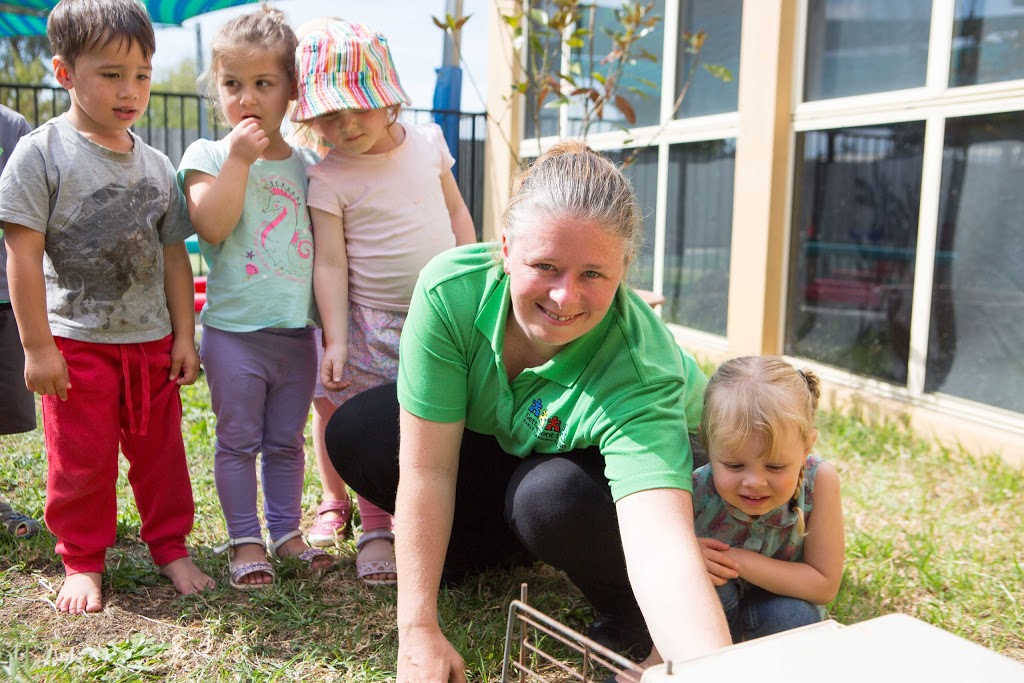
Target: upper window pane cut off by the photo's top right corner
[(989, 42)]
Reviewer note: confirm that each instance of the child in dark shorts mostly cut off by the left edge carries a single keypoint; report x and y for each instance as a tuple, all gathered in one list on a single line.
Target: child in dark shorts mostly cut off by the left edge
[(18, 407)]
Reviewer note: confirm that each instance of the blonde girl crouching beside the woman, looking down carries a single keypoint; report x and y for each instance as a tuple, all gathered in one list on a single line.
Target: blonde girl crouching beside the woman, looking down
[(767, 514)]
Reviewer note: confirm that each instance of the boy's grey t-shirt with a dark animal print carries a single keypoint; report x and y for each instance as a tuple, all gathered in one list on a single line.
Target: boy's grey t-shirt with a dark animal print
[(107, 217)]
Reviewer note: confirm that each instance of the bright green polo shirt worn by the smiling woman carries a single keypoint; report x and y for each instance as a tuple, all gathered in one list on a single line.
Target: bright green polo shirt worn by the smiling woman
[(625, 388)]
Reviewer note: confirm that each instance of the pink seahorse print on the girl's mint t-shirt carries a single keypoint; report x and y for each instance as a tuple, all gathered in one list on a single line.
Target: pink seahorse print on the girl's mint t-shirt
[(284, 246)]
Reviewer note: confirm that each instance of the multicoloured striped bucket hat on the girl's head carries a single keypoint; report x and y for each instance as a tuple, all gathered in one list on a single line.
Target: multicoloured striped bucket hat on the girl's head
[(346, 66)]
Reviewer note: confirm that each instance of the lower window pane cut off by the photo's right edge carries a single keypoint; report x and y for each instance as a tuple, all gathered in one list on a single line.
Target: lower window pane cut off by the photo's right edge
[(974, 349)]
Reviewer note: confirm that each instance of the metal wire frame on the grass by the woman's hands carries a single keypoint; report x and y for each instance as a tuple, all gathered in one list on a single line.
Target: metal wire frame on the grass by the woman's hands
[(533, 622)]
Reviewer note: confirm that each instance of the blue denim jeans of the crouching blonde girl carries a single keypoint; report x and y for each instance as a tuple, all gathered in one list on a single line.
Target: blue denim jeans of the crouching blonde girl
[(753, 613)]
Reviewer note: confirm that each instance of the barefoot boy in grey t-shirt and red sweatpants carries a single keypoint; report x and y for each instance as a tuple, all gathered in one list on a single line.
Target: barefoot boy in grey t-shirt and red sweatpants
[(102, 287)]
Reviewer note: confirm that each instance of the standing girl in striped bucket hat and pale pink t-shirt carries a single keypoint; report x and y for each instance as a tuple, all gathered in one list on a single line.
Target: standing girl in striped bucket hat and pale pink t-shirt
[(383, 202)]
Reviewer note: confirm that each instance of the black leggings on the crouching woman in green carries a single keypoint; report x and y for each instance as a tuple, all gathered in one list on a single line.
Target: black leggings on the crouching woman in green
[(554, 508)]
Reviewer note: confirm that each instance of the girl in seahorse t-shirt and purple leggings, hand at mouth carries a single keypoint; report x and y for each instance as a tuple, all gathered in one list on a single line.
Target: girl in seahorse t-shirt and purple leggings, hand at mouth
[(247, 199)]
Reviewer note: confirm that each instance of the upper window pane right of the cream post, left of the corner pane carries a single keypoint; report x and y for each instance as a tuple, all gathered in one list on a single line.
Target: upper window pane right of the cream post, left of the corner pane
[(861, 47)]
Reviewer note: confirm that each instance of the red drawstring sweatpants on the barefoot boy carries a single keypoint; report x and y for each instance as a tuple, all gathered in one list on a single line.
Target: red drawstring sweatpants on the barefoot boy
[(119, 395)]
